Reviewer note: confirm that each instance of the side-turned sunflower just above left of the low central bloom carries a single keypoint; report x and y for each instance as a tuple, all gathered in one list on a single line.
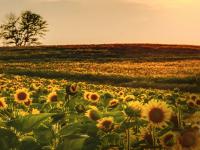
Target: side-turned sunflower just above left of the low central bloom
[(93, 113)]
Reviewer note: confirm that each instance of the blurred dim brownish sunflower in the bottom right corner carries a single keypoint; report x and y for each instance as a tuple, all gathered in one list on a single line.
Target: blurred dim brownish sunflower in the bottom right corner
[(189, 140)]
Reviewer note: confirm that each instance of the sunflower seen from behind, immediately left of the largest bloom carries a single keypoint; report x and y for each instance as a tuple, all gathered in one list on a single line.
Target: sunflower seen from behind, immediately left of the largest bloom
[(134, 109)]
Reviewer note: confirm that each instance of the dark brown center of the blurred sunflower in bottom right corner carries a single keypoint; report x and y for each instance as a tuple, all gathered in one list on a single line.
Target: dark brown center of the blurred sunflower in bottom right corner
[(188, 139)]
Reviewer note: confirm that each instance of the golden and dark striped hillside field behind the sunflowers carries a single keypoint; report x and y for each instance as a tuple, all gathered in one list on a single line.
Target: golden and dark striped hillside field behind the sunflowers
[(133, 65)]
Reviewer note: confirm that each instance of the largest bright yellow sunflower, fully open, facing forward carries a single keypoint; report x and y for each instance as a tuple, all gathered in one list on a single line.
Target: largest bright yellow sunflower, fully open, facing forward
[(157, 113)]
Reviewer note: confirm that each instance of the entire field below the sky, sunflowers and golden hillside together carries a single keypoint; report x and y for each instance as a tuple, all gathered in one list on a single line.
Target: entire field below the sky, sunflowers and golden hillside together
[(105, 97)]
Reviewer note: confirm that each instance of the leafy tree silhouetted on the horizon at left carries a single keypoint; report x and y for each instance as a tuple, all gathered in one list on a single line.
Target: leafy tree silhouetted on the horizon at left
[(23, 30)]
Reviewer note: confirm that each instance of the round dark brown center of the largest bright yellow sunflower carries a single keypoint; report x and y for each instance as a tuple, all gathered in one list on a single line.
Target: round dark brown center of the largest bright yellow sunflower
[(156, 115)]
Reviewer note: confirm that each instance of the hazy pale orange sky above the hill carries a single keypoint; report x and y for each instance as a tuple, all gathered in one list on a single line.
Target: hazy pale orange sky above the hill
[(114, 21)]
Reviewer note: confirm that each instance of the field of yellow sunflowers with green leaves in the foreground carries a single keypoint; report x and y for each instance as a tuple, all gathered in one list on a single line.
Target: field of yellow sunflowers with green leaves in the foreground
[(49, 114)]
